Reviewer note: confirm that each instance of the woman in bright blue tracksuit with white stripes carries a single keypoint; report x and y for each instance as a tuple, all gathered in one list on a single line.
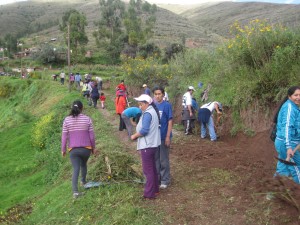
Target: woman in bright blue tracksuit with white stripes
[(287, 119)]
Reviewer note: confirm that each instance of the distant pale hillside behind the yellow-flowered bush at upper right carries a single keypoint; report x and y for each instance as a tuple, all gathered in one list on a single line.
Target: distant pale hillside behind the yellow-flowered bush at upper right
[(218, 17)]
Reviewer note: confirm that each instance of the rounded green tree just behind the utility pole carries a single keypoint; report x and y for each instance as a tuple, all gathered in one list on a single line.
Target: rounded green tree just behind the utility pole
[(77, 23)]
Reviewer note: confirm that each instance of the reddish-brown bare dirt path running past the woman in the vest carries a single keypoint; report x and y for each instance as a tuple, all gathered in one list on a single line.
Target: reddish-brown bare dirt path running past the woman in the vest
[(223, 182)]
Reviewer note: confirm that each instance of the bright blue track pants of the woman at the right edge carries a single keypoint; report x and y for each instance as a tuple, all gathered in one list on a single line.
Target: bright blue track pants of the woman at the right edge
[(284, 169)]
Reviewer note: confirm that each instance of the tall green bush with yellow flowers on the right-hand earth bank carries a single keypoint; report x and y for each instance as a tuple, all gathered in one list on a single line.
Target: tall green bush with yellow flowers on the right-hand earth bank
[(271, 54)]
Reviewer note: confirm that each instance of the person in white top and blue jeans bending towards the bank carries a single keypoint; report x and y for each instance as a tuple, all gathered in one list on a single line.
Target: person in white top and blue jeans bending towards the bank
[(205, 118)]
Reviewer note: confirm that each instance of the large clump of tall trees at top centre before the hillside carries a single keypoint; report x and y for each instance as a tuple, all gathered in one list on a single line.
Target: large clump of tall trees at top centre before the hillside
[(138, 21)]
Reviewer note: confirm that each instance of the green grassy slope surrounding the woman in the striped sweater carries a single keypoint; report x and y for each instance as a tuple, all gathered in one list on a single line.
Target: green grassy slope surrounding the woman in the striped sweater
[(23, 175)]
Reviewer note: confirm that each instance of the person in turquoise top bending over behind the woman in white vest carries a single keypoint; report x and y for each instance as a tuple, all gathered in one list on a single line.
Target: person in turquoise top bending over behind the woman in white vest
[(130, 116)]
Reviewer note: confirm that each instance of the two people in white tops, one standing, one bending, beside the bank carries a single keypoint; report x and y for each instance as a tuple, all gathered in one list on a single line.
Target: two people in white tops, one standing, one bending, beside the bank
[(205, 113)]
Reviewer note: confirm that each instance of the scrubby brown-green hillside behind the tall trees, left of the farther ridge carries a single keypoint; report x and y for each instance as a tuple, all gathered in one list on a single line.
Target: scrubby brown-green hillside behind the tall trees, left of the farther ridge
[(39, 20)]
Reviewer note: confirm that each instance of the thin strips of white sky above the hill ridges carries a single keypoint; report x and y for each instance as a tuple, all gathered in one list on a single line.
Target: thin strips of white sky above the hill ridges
[(186, 2)]
